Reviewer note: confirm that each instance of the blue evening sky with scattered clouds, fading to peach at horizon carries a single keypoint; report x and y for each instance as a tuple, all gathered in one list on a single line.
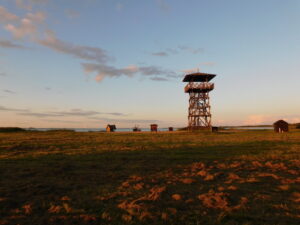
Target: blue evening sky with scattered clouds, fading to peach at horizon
[(87, 63)]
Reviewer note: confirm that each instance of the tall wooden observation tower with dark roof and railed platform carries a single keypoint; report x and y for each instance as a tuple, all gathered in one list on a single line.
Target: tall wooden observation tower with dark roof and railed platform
[(198, 88)]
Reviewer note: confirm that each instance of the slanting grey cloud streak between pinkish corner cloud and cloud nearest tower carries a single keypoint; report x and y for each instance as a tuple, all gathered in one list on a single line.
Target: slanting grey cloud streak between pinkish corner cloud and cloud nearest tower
[(78, 51)]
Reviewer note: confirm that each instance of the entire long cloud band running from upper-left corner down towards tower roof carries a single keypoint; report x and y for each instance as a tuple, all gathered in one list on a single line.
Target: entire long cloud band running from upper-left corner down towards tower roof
[(96, 59)]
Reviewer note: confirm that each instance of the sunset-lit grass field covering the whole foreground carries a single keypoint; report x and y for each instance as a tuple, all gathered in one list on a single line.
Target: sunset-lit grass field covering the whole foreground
[(245, 177)]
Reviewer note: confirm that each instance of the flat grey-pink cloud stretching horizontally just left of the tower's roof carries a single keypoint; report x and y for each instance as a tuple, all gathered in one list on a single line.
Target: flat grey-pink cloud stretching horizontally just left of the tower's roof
[(103, 71)]
